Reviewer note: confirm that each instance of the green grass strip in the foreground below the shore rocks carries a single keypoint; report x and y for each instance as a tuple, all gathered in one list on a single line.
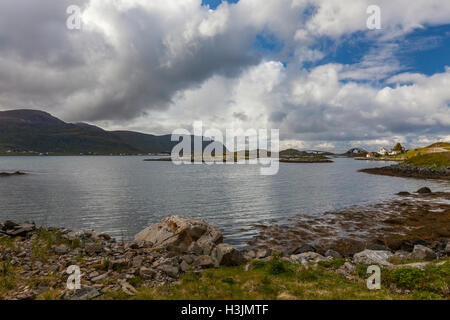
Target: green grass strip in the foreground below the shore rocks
[(275, 279)]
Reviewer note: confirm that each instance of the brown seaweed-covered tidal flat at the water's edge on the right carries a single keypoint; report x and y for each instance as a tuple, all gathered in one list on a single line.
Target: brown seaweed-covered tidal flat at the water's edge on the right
[(421, 218)]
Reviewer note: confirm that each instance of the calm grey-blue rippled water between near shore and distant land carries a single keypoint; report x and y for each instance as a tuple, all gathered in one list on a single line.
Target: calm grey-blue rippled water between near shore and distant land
[(122, 195)]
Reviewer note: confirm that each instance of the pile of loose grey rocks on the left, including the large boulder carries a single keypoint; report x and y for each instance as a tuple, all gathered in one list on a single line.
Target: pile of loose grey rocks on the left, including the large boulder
[(159, 254)]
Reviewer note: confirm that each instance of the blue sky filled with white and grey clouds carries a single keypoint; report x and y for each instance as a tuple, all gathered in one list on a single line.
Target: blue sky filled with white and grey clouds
[(310, 68)]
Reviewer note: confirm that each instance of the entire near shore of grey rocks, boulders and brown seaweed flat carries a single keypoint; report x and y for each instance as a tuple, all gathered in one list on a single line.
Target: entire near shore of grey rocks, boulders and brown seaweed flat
[(34, 260)]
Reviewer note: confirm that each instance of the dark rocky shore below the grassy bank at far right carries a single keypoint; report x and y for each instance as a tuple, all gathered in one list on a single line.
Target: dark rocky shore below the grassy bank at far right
[(404, 170)]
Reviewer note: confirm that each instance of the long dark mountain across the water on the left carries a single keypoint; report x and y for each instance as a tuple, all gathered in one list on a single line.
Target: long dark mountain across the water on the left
[(38, 131)]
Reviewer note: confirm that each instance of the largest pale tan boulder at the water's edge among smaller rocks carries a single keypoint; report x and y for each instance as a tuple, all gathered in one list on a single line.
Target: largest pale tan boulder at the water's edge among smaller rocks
[(178, 233)]
